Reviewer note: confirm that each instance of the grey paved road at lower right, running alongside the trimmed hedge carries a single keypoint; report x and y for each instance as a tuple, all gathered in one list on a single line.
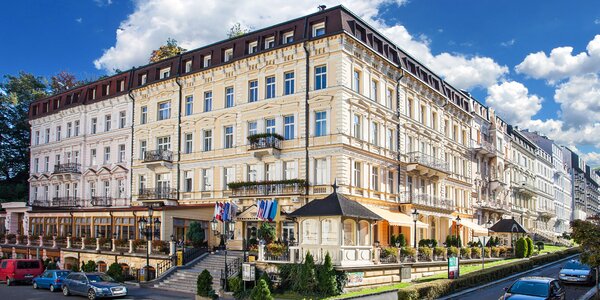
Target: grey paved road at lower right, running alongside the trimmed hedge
[(497, 290)]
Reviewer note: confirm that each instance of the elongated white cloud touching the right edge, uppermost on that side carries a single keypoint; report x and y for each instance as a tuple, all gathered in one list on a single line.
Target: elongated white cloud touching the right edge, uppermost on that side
[(561, 63)]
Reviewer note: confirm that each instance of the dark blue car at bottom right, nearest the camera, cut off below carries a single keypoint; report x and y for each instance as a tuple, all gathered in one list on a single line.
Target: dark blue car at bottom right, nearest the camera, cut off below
[(533, 288)]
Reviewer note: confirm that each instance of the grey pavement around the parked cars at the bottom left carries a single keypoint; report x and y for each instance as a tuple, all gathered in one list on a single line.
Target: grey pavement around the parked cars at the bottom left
[(27, 292)]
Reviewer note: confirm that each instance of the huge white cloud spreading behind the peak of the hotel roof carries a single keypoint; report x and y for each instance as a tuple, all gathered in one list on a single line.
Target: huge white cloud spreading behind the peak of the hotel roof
[(196, 23)]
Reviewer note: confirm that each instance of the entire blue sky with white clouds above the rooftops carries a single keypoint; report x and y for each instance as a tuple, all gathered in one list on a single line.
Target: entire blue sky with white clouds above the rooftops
[(537, 63)]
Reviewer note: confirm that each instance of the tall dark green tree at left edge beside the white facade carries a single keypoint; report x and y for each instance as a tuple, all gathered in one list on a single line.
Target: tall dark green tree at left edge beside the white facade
[(16, 94)]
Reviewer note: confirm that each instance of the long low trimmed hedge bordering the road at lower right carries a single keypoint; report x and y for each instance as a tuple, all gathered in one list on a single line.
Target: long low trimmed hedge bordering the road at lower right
[(438, 288)]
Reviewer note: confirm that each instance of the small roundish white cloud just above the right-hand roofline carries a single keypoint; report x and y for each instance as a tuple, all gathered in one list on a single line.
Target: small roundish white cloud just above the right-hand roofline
[(513, 102)]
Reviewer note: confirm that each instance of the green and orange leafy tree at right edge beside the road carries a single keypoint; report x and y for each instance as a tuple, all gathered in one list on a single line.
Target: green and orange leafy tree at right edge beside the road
[(587, 235)]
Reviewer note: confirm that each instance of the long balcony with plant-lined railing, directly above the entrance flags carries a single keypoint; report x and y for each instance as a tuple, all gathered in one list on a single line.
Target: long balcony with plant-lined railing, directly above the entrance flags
[(266, 188)]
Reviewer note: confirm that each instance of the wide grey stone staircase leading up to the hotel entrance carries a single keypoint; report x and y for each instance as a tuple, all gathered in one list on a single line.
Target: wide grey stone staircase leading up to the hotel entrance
[(184, 279)]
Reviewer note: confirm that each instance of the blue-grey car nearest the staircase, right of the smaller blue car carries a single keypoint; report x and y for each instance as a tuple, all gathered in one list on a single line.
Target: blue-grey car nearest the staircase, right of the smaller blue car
[(93, 285)]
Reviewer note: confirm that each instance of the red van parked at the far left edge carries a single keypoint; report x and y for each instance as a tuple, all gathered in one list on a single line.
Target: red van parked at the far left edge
[(20, 270)]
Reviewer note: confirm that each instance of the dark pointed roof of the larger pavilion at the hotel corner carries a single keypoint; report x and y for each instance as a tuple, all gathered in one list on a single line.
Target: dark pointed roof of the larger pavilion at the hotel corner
[(335, 205)]
